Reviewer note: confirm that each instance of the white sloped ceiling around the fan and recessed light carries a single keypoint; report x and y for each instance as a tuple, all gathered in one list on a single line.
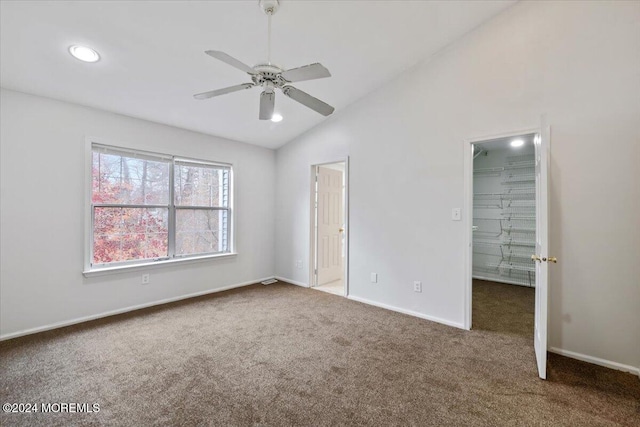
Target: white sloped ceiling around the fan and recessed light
[(153, 61)]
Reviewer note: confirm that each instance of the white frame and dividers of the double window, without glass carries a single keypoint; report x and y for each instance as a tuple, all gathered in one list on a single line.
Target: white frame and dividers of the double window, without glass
[(172, 258)]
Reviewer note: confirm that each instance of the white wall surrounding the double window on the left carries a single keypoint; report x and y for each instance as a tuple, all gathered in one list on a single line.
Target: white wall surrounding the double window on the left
[(42, 150)]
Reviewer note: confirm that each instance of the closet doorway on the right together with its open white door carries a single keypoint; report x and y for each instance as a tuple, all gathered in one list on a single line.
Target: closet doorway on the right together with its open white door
[(506, 211)]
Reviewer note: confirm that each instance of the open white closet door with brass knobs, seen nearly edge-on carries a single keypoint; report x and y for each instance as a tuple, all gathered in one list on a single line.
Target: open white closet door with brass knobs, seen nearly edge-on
[(541, 256)]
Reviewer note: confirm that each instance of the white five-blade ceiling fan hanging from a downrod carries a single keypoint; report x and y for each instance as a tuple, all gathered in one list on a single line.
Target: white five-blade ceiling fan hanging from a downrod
[(270, 76)]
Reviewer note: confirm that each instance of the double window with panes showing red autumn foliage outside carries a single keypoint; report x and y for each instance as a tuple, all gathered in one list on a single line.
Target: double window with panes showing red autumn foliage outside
[(149, 207)]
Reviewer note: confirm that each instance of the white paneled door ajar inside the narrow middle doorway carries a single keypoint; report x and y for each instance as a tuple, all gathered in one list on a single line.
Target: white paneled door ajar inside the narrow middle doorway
[(330, 225)]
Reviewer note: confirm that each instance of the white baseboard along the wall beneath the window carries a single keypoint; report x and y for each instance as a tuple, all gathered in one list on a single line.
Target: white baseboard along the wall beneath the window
[(123, 310)]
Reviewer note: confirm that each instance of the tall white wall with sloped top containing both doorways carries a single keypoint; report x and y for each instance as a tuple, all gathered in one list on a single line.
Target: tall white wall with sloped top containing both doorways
[(579, 62)]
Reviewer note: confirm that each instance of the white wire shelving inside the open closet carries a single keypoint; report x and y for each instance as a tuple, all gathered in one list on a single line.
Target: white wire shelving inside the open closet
[(504, 223)]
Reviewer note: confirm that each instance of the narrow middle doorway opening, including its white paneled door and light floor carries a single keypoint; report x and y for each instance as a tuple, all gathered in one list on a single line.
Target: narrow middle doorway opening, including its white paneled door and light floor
[(329, 228)]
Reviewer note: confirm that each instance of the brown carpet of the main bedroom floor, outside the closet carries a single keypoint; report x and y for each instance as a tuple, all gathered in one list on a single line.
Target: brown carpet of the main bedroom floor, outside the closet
[(282, 355)]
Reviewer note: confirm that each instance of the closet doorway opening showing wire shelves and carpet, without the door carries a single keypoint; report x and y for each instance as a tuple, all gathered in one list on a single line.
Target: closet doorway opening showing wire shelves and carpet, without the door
[(503, 274)]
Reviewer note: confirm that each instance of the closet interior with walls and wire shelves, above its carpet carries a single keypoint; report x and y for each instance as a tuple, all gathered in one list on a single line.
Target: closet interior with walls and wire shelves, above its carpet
[(504, 212)]
